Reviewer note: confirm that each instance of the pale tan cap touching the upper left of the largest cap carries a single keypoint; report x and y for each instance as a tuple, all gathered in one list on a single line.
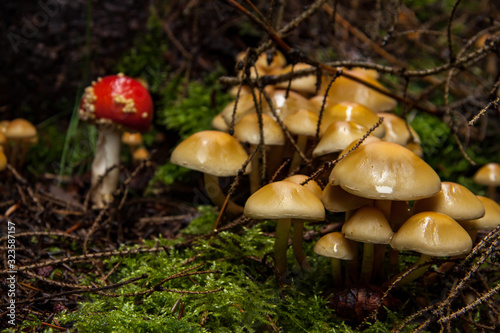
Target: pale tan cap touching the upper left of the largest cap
[(338, 136)]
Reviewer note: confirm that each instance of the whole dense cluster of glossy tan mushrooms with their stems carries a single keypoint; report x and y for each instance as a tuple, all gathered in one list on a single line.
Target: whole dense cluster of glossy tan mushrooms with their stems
[(392, 199)]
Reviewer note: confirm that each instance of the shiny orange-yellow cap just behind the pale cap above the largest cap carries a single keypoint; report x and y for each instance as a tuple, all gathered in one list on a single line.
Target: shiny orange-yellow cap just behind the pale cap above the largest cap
[(350, 111)]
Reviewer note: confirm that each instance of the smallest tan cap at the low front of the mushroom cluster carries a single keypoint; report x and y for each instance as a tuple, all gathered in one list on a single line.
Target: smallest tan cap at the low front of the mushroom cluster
[(335, 245)]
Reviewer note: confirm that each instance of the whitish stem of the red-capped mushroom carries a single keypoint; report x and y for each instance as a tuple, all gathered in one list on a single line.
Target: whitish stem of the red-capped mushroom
[(107, 156)]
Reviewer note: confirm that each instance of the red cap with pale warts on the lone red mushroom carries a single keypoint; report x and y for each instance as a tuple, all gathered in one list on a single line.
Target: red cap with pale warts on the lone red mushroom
[(119, 99)]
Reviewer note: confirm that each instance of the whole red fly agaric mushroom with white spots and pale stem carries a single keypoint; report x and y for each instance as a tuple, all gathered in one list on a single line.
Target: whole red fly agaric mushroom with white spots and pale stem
[(112, 104)]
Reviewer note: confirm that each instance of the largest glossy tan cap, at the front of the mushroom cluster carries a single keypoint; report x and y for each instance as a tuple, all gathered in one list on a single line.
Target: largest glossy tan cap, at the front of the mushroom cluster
[(385, 170)]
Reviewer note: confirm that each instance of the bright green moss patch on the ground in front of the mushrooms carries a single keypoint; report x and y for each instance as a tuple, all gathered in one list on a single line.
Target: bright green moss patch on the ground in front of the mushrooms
[(251, 300)]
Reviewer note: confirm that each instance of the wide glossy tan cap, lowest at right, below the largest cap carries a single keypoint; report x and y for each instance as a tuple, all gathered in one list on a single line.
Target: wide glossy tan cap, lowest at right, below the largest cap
[(433, 234)]
